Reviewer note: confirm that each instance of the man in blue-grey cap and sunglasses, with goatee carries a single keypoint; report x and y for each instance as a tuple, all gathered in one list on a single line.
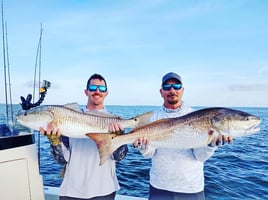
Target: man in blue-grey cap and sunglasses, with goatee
[(176, 173)]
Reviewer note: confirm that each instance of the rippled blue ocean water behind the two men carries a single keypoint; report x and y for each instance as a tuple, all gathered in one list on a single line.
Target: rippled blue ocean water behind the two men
[(236, 171)]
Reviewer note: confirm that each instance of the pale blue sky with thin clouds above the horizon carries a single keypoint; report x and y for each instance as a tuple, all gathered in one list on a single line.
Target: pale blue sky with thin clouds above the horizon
[(220, 49)]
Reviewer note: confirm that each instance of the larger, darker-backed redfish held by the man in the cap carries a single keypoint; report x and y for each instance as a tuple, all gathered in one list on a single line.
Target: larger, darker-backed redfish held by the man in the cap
[(196, 129)]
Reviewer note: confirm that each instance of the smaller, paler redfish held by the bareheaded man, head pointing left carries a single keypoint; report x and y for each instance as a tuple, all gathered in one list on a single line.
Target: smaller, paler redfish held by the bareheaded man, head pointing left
[(74, 123)]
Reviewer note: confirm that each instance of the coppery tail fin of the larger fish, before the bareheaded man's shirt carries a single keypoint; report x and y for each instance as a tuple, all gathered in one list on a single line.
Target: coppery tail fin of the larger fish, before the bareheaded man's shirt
[(105, 144)]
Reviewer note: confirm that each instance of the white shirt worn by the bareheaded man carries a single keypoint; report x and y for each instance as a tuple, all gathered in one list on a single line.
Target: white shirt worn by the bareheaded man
[(84, 178)]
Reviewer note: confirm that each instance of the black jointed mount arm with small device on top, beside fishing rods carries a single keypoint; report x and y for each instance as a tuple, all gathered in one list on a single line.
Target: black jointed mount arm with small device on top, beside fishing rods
[(26, 103)]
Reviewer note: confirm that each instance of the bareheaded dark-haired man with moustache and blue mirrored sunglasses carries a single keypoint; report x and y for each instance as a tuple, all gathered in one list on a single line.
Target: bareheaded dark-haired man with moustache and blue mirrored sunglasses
[(84, 178)]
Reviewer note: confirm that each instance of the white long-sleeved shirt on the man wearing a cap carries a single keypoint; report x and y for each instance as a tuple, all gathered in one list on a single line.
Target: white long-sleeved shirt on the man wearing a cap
[(177, 170)]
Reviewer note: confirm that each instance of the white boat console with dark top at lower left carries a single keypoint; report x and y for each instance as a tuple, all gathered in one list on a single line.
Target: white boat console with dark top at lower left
[(19, 172)]
